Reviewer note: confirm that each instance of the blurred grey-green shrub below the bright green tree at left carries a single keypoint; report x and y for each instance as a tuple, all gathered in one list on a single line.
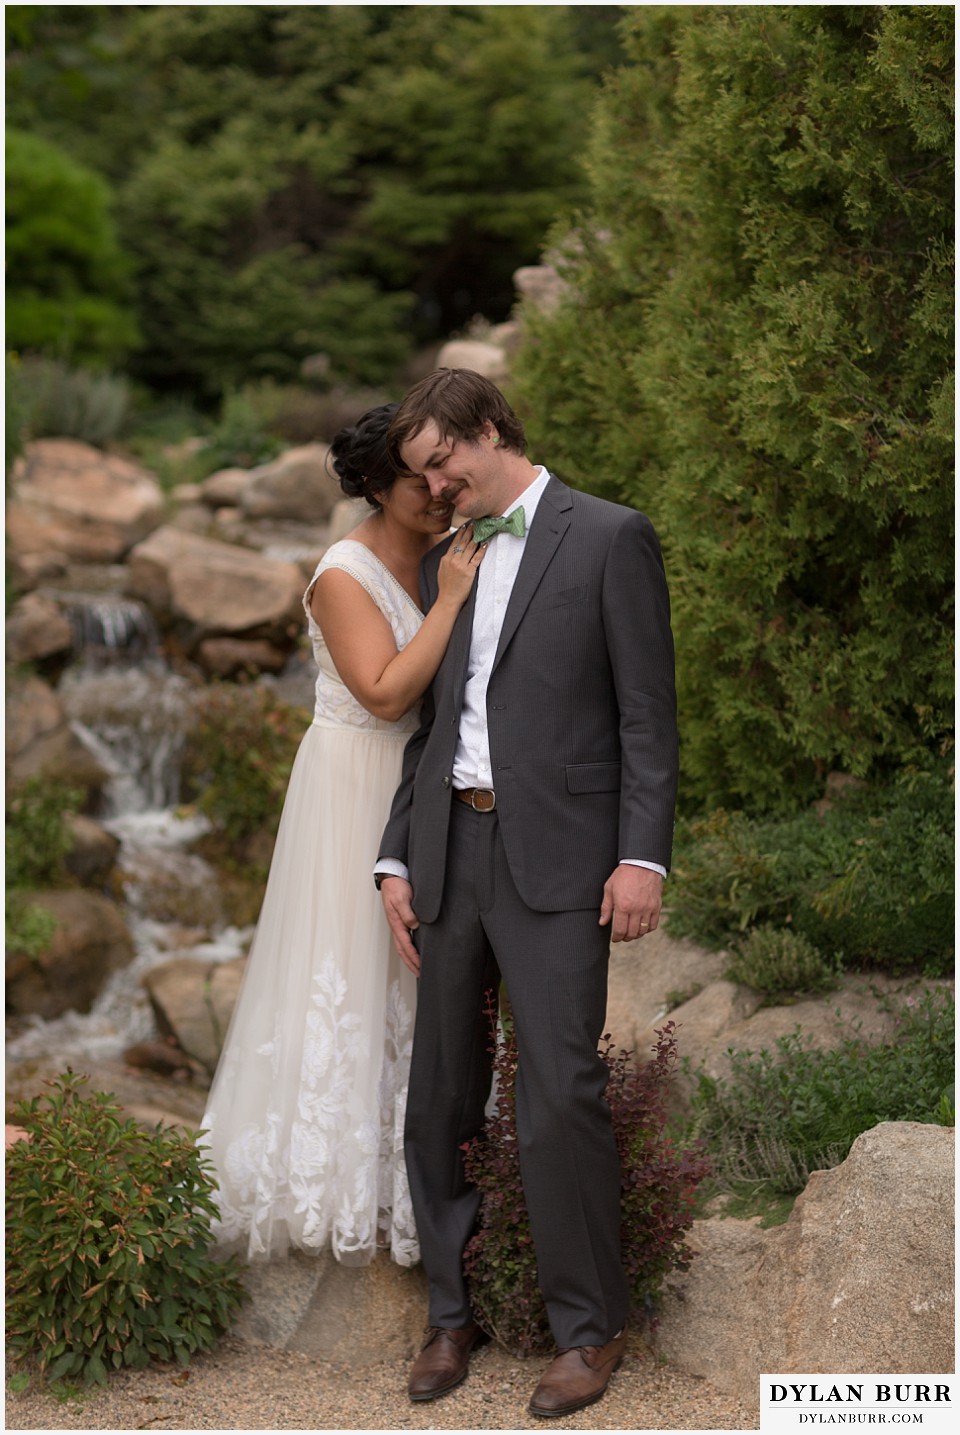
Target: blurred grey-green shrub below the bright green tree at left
[(78, 404)]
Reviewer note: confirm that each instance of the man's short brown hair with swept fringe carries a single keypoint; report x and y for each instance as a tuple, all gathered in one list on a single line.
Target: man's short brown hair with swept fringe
[(461, 403)]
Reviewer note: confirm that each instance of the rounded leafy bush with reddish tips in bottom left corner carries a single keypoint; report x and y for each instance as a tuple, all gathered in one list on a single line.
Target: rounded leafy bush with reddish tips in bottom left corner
[(108, 1231)]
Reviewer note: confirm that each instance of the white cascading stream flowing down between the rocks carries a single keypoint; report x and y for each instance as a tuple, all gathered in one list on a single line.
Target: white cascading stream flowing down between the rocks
[(131, 710)]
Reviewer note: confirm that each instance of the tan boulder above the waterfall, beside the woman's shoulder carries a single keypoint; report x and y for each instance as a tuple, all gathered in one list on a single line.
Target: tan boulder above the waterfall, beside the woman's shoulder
[(217, 588)]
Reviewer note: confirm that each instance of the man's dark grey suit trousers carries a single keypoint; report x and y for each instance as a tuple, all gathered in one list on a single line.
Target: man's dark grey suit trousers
[(555, 966)]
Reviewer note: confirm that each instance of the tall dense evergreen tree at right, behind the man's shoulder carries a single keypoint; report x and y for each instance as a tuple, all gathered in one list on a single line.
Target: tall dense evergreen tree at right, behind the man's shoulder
[(757, 351)]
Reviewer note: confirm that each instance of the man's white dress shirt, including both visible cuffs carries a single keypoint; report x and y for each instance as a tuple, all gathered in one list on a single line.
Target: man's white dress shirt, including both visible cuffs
[(494, 588)]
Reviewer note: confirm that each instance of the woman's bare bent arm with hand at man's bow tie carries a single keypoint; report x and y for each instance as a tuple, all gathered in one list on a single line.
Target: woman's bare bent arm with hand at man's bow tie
[(361, 641)]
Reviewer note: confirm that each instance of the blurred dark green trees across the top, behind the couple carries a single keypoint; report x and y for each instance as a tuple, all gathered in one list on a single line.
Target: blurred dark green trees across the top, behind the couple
[(315, 179)]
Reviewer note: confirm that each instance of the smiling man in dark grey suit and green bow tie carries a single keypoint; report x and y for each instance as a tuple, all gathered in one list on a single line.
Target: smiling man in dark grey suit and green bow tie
[(533, 826)]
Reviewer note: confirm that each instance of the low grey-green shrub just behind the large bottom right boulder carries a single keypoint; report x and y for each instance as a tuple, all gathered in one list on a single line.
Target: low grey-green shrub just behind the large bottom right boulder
[(780, 1116)]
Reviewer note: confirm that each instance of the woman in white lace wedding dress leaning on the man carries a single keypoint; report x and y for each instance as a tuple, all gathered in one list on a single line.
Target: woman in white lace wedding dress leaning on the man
[(305, 1119)]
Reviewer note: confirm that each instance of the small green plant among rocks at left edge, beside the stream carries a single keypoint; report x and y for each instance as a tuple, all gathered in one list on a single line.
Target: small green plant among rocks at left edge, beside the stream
[(37, 843)]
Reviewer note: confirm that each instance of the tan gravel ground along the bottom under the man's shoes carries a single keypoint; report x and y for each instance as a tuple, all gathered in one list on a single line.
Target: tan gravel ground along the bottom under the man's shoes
[(249, 1387)]
